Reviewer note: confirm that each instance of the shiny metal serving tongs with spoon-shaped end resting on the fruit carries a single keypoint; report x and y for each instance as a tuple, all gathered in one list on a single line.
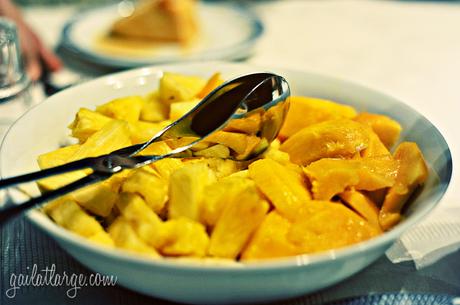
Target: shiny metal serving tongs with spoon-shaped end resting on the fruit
[(266, 93)]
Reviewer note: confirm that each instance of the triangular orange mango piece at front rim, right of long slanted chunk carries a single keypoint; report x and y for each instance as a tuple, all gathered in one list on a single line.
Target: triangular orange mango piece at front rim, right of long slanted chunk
[(270, 239)]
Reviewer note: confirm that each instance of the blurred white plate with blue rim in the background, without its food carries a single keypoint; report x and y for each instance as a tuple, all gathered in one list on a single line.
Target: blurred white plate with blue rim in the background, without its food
[(226, 32)]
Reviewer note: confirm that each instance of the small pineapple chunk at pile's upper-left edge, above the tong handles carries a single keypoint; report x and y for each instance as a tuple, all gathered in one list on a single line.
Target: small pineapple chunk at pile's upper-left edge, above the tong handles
[(86, 123)]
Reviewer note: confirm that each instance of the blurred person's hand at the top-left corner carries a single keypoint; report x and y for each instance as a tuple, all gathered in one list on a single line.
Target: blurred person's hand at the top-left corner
[(37, 57)]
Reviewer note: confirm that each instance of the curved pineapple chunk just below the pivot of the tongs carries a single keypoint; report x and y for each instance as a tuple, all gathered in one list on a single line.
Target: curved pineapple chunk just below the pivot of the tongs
[(152, 188)]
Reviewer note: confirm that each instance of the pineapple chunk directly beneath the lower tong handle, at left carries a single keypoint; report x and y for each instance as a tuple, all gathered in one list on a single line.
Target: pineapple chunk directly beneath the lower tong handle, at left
[(97, 198)]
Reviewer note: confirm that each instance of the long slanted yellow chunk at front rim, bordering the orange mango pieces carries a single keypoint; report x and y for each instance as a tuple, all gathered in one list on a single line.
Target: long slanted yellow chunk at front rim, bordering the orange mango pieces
[(239, 219)]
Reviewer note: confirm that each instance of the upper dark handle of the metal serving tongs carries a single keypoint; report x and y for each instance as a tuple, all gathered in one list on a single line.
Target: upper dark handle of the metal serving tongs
[(65, 168)]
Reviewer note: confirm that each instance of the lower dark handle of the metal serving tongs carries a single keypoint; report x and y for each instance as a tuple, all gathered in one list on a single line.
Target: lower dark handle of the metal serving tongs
[(10, 210)]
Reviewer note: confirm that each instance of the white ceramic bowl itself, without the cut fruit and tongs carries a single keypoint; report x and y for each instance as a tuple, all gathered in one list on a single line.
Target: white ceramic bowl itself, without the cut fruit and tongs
[(44, 127)]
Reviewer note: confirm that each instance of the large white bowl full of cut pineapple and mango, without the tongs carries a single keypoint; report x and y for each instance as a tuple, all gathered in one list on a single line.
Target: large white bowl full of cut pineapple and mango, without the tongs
[(350, 171)]
